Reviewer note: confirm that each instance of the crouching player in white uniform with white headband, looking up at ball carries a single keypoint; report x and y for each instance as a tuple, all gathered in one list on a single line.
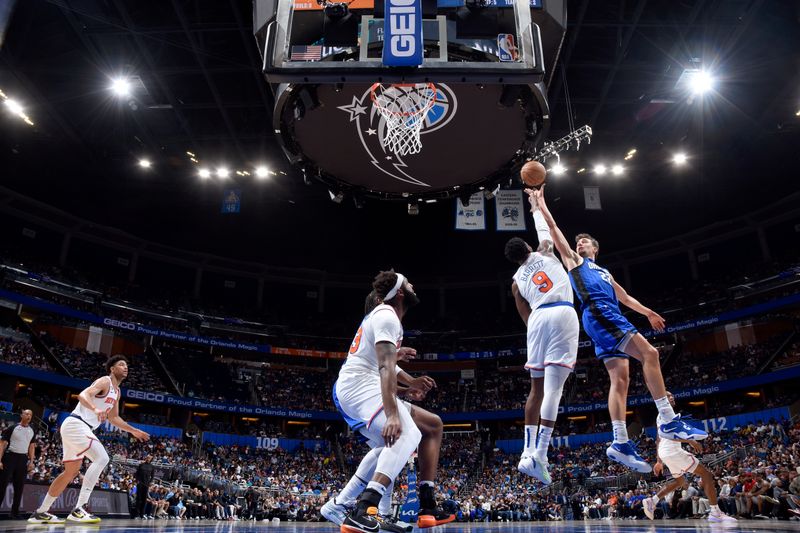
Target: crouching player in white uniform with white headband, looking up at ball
[(367, 394)]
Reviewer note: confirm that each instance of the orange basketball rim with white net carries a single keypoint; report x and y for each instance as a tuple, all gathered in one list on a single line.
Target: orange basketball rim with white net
[(404, 107)]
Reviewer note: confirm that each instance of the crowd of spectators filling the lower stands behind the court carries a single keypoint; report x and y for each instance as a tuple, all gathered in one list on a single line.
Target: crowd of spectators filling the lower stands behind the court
[(756, 466)]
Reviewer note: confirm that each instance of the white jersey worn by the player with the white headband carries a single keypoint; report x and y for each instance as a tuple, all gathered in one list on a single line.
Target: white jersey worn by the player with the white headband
[(381, 325)]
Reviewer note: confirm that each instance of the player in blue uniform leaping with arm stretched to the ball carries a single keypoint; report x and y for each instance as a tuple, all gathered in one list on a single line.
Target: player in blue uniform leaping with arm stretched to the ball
[(616, 340)]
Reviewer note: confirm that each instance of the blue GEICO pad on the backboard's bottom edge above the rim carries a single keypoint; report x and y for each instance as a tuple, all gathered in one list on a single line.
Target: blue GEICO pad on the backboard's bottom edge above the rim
[(402, 45)]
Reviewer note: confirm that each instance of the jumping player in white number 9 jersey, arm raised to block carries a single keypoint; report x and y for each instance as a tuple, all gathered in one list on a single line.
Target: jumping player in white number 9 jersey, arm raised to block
[(543, 297)]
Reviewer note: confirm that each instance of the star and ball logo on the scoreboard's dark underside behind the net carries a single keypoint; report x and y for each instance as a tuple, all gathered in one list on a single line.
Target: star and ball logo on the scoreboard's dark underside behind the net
[(371, 128)]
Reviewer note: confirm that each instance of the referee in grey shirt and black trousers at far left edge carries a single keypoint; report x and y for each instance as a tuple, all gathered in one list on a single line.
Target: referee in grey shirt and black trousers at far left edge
[(17, 455)]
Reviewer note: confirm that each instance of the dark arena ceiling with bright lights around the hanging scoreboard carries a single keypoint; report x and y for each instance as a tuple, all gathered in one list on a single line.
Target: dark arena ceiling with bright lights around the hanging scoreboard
[(198, 88)]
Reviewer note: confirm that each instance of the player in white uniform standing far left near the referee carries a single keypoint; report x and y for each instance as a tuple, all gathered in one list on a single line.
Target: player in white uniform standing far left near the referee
[(96, 404)]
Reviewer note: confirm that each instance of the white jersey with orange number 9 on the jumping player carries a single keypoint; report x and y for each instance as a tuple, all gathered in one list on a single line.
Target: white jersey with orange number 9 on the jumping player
[(543, 280)]
